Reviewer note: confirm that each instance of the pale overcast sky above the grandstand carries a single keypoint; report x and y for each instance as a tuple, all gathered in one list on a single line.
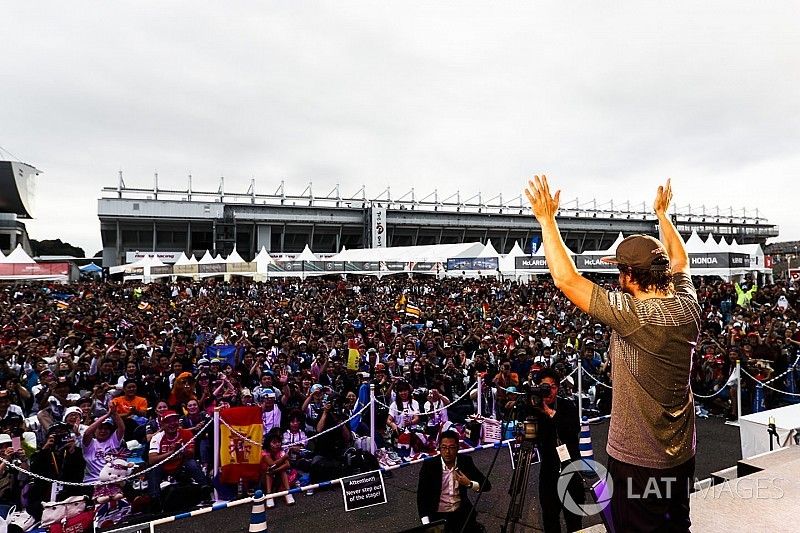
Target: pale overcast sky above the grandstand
[(608, 100)]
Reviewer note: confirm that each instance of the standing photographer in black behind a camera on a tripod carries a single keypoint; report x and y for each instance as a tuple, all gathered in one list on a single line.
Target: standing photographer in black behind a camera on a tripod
[(558, 437)]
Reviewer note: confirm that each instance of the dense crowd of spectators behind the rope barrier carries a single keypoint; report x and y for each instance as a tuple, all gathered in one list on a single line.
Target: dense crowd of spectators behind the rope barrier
[(95, 370)]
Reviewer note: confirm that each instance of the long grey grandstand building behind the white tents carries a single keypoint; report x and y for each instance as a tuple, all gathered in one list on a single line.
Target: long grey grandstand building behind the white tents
[(172, 221)]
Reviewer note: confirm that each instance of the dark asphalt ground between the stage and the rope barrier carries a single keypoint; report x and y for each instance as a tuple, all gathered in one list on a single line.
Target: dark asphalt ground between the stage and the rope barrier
[(717, 447)]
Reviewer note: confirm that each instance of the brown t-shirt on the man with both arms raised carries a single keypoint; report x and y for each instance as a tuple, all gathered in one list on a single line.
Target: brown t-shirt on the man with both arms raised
[(652, 410)]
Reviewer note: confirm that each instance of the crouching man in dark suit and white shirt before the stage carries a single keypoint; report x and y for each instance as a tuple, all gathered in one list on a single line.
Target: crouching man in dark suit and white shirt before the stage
[(443, 485)]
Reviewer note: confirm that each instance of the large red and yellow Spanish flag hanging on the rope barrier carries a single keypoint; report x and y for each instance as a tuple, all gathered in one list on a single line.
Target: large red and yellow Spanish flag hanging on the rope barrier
[(240, 457)]
